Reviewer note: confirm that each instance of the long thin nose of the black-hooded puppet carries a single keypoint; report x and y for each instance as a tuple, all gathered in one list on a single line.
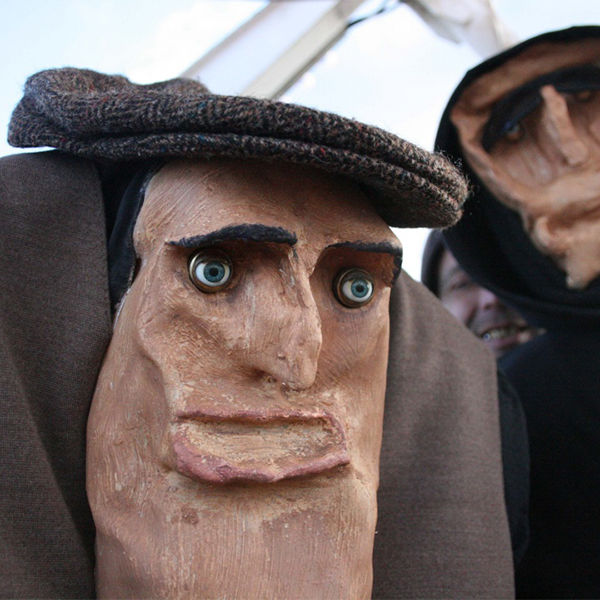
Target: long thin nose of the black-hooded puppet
[(559, 126)]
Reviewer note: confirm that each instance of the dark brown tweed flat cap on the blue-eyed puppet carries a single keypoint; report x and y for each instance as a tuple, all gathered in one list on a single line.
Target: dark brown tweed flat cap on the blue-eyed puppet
[(106, 117)]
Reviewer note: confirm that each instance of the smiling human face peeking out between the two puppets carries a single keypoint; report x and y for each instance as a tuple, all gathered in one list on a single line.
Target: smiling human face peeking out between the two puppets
[(499, 327)]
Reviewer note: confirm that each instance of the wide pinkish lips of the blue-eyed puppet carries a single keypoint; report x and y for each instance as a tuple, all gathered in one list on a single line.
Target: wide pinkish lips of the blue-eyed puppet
[(253, 447)]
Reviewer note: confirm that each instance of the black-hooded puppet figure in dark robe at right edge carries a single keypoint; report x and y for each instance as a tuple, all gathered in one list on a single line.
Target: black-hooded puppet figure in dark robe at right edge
[(525, 126)]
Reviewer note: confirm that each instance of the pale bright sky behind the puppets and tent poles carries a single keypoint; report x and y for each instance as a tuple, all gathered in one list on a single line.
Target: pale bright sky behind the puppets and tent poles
[(391, 71)]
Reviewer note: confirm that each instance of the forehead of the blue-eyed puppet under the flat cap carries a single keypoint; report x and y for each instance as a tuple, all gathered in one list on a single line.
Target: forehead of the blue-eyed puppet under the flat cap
[(194, 199)]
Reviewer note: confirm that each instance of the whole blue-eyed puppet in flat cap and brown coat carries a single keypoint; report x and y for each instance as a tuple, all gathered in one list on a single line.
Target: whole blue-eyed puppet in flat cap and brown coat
[(160, 198)]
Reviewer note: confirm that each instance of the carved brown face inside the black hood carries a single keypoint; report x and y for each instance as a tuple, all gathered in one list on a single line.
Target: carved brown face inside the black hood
[(530, 129)]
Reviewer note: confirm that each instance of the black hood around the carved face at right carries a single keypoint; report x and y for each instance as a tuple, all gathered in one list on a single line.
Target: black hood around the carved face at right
[(490, 242)]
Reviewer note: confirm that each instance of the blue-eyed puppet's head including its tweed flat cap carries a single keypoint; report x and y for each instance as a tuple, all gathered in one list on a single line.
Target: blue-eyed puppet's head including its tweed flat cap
[(234, 436)]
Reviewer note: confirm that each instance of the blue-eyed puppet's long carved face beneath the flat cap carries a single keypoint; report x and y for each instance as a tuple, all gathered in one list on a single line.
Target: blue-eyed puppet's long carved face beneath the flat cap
[(234, 436)]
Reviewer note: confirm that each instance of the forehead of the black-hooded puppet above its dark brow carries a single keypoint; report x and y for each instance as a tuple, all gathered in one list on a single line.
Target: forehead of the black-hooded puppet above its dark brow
[(532, 63)]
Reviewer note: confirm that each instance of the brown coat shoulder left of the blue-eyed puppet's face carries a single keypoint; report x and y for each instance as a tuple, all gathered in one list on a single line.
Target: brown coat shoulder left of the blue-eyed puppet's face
[(54, 327)]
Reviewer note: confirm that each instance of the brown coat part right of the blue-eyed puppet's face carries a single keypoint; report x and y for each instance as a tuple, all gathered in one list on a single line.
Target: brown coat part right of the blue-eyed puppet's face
[(442, 531)]
